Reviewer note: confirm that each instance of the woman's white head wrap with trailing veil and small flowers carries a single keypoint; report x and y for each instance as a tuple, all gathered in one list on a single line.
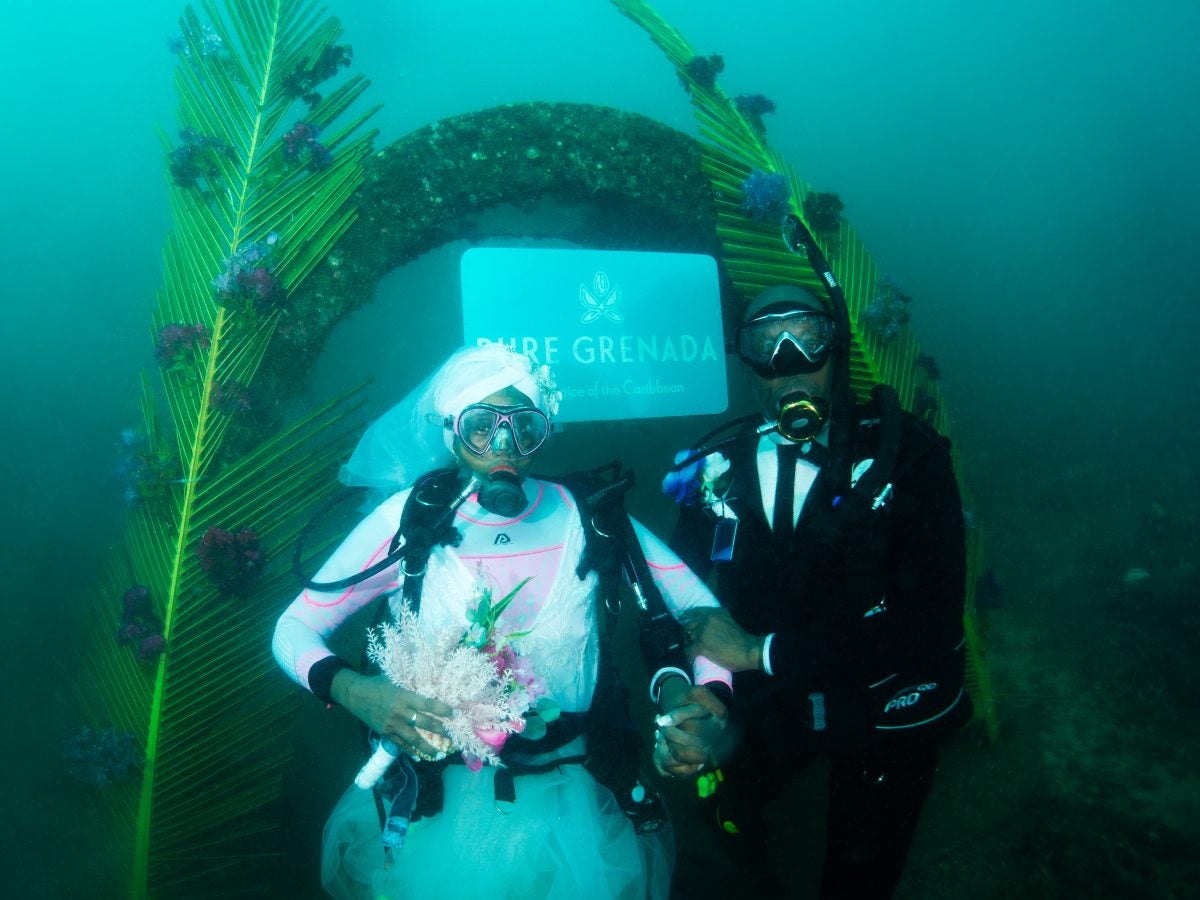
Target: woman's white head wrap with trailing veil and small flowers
[(411, 440)]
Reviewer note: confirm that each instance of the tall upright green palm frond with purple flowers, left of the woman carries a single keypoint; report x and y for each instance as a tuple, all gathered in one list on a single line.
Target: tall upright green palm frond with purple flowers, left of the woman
[(260, 193)]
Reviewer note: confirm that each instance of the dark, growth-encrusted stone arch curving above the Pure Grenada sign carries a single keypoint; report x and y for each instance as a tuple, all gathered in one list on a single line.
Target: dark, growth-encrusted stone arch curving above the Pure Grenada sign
[(638, 183)]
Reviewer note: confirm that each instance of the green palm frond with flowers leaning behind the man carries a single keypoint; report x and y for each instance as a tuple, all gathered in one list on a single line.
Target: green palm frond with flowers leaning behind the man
[(739, 161)]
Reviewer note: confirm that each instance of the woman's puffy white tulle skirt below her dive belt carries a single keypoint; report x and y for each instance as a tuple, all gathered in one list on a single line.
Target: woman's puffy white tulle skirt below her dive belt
[(565, 838)]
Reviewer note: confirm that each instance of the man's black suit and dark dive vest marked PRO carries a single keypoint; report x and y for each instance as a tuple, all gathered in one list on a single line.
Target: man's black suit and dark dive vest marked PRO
[(867, 653)]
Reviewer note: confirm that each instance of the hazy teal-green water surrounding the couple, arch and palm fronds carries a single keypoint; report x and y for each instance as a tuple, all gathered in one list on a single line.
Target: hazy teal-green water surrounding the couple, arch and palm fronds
[(1029, 176)]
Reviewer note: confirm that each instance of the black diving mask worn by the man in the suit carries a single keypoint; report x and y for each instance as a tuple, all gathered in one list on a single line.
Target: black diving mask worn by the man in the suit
[(789, 343)]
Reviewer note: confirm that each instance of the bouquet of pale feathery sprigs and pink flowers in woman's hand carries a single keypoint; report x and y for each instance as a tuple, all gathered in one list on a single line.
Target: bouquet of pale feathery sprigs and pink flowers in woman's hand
[(476, 671)]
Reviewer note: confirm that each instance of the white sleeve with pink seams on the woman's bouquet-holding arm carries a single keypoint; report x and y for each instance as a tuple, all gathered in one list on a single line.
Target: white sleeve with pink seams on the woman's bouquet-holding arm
[(301, 633)]
